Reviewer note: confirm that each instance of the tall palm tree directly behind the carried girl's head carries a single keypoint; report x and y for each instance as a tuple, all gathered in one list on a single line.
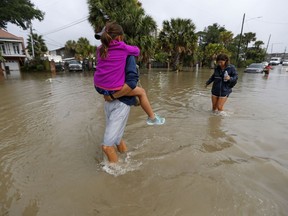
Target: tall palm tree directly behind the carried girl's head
[(137, 26)]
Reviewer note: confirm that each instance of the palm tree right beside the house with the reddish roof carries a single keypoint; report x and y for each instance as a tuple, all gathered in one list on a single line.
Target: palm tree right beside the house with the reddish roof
[(39, 45)]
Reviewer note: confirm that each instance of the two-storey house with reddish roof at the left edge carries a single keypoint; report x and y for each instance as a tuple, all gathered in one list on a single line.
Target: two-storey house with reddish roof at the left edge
[(12, 50)]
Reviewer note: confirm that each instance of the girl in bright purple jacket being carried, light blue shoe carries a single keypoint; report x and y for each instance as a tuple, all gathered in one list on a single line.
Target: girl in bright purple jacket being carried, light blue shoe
[(109, 76)]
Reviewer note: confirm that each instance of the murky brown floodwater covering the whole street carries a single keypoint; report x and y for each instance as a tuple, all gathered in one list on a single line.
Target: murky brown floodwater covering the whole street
[(198, 163)]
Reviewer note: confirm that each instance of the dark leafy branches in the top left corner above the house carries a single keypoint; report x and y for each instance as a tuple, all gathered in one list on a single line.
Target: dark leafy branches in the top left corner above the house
[(18, 12)]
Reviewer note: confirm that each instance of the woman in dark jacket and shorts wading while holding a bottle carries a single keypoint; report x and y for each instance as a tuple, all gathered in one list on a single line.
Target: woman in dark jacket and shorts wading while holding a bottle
[(224, 78)]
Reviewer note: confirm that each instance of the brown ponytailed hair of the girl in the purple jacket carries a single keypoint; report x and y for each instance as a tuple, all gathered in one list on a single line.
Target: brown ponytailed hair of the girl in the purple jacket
[(112, 30)]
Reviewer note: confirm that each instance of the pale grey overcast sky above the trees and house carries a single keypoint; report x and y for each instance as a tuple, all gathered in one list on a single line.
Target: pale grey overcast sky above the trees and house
[(263, 17)]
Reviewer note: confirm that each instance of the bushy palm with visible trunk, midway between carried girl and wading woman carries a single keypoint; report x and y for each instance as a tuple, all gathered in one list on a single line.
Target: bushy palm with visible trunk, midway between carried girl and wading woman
[(178, 38)]
